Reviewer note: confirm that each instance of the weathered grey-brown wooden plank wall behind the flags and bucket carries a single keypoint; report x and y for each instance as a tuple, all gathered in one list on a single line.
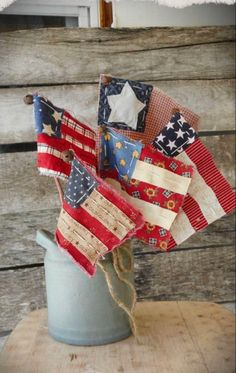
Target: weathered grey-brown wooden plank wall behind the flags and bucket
[(193, 65)]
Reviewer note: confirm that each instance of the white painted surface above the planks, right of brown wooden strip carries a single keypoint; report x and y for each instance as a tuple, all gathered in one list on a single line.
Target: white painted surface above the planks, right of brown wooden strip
[(129, 13)]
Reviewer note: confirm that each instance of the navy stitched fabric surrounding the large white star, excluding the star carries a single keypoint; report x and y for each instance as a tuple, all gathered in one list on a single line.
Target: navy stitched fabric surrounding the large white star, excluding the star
[(115, 87)]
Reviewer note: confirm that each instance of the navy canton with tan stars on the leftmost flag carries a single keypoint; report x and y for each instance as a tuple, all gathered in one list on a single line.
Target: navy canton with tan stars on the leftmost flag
[(47, 117)]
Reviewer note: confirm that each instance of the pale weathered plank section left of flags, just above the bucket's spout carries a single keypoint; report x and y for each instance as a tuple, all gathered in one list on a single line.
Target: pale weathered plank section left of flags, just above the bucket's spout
[(22, 188)]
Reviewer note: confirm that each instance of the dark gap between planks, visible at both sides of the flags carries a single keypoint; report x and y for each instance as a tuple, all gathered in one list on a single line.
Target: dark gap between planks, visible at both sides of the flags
[(32, 146)]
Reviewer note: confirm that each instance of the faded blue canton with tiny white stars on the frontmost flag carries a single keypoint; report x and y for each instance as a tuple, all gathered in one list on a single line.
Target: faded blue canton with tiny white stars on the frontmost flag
[(80, 185)]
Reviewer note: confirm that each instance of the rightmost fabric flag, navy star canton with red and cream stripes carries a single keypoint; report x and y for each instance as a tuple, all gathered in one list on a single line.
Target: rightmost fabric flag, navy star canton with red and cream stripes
[(209, 196)]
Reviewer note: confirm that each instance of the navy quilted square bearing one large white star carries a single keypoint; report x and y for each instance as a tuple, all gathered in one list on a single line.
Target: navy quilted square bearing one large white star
[(123, 103)]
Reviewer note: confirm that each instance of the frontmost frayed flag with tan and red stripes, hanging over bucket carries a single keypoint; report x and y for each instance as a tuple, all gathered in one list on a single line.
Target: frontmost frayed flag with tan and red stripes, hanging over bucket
[(94, 219)]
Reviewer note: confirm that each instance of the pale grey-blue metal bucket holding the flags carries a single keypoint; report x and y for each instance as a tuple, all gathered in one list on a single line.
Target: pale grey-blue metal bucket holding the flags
[(81, 310)]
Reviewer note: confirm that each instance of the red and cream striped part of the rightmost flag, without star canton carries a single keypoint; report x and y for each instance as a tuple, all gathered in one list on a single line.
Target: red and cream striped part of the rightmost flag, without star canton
[(209, 198)]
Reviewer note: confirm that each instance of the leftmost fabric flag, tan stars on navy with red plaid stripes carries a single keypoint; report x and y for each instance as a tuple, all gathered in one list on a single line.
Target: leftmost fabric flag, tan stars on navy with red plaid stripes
[(59, 137)]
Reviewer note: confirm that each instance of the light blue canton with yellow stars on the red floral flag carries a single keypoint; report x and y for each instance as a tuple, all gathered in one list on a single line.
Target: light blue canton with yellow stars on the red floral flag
[(120, 153)]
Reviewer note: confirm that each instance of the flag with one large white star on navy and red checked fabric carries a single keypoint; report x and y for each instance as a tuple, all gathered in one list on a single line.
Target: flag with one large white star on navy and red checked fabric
[(137, 110)]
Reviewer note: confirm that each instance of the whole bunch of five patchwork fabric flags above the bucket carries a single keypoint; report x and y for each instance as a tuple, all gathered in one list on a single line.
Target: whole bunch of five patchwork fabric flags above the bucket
[(143, 173)]
